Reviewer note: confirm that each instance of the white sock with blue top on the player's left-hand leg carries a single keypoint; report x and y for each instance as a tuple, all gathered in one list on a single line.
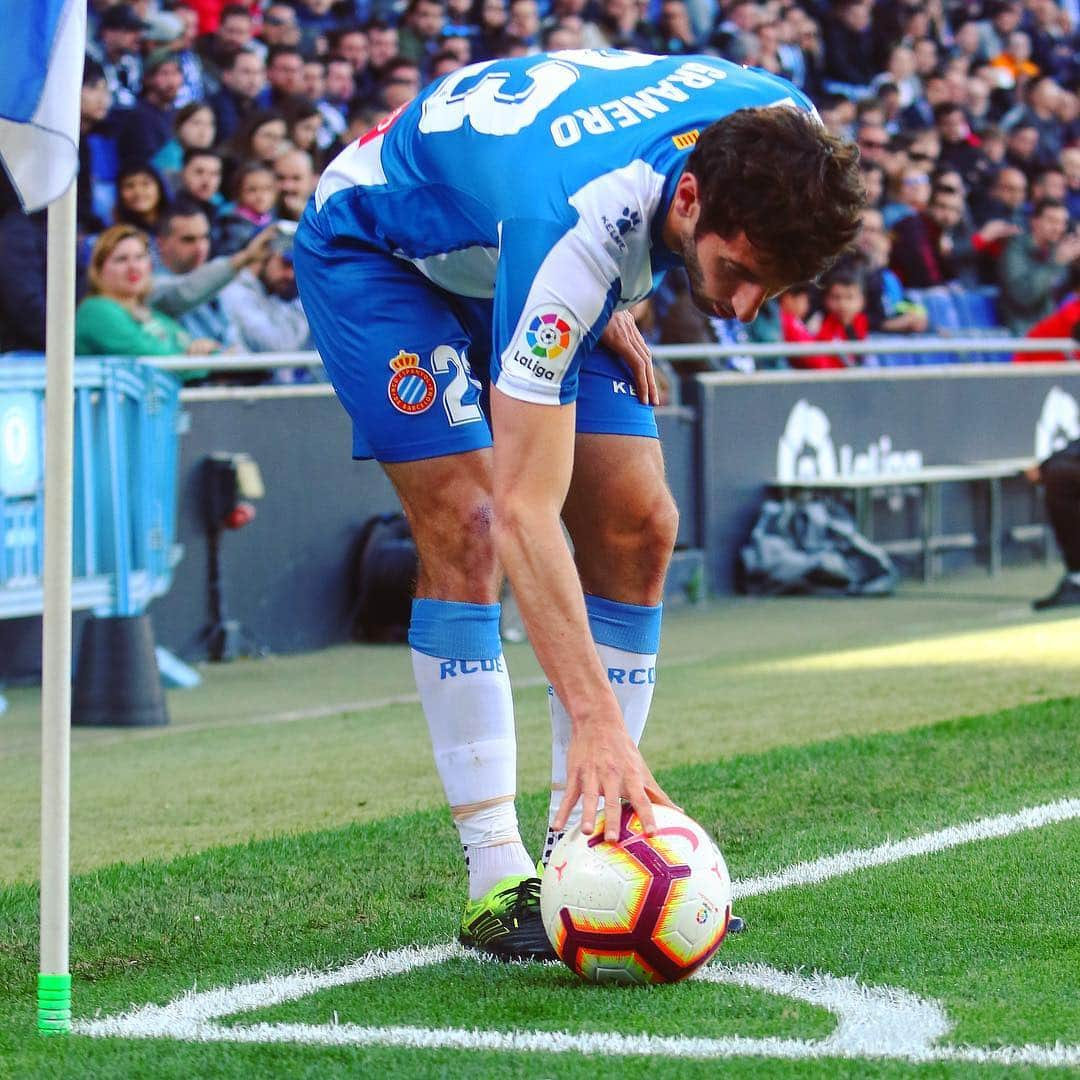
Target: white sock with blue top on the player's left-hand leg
[(465, 691)]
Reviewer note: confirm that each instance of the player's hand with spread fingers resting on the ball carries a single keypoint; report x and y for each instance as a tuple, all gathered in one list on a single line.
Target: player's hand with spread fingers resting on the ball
[(603, 761)]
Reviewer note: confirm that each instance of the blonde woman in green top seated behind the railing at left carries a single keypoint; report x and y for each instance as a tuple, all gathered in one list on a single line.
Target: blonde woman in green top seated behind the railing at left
[(115, 319)]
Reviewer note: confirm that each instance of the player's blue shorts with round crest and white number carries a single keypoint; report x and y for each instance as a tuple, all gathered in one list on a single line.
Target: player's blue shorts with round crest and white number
[(410, 361)]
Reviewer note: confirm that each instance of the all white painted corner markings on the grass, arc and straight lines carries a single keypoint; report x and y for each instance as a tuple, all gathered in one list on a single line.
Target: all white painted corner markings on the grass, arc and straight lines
[(873, 1022)]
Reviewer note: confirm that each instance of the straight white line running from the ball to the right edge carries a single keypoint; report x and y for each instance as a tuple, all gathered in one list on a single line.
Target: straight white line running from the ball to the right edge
[(895, 852)]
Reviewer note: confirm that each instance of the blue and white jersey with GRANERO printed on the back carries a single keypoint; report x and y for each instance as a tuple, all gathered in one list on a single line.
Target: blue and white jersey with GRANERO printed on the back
[(543, 183)]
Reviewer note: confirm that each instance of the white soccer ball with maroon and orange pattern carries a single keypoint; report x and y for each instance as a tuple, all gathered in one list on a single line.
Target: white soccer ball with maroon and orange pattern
[(640, 910)]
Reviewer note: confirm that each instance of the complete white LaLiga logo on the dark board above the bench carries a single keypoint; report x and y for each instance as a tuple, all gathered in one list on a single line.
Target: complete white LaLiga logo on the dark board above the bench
[(806, 451)]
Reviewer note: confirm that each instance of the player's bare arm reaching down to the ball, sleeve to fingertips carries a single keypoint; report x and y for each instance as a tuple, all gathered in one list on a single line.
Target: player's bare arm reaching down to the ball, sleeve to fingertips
[(534, 458)]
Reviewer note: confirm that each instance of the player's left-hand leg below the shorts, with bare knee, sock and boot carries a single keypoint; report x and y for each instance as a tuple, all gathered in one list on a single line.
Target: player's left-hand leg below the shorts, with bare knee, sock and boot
[(465, 688)]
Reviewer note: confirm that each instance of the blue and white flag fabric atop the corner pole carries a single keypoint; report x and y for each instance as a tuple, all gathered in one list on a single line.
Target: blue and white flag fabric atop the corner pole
[(43, 45)]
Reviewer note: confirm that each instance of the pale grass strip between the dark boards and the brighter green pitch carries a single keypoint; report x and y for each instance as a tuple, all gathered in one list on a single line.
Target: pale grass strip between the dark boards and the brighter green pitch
[(295, 744)]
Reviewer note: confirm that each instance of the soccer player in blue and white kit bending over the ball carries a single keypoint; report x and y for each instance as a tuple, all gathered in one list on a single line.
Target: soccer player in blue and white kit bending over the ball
[(466, 268)]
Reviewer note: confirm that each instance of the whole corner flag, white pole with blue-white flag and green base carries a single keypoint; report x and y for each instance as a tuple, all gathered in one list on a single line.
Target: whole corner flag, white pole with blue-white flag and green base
[(42, 57)]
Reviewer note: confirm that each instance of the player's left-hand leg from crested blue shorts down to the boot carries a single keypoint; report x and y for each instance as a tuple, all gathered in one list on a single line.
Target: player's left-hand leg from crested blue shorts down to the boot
[(399, 362)]
